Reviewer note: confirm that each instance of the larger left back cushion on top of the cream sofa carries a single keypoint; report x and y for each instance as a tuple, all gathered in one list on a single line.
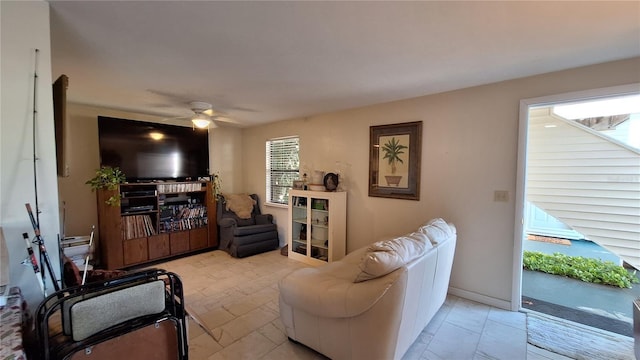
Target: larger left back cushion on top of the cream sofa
[(386, 256)]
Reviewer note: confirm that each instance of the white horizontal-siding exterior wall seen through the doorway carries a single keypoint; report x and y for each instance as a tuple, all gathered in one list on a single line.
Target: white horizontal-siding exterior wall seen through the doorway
[(587, 181)]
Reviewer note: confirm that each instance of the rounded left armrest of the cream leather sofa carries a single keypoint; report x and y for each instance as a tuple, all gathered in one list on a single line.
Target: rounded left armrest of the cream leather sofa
[(319, 292)]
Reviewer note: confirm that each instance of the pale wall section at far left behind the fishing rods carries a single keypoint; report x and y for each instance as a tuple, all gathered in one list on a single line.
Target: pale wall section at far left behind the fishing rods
[(25, 27)]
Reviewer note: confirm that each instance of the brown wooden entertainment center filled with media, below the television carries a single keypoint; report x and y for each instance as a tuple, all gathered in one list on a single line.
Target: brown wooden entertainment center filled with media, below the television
[(156, 221)]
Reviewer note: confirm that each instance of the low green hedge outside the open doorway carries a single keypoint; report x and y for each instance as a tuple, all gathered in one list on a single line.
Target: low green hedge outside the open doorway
[(578, 267)]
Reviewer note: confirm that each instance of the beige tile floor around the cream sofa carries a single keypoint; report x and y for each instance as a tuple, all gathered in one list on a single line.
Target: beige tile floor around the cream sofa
[(236, 301)]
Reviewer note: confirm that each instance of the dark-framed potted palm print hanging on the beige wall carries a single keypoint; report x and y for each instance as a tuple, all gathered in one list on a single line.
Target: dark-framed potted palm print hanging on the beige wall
[(394, 160)]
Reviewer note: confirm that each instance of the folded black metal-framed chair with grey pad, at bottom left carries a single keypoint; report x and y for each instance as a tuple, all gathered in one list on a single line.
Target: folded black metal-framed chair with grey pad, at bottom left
[(137, 316)]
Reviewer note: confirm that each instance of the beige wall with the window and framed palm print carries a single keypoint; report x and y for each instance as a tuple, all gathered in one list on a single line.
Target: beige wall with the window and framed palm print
[(470, 144)]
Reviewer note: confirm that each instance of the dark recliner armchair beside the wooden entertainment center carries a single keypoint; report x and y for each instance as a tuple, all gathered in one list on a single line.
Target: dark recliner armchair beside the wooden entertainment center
[(242, 237)]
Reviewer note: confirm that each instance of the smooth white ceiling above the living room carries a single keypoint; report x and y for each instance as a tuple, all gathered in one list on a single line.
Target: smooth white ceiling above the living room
[(258, 62)]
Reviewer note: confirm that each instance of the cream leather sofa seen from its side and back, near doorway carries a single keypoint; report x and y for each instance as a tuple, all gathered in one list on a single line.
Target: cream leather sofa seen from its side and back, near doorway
[(374, 302)]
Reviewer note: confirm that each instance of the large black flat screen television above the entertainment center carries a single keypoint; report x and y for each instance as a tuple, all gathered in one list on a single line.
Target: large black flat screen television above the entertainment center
[(147, 151)]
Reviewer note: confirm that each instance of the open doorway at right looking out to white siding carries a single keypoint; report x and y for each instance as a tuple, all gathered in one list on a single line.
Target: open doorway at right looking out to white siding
[(578, 192)]
